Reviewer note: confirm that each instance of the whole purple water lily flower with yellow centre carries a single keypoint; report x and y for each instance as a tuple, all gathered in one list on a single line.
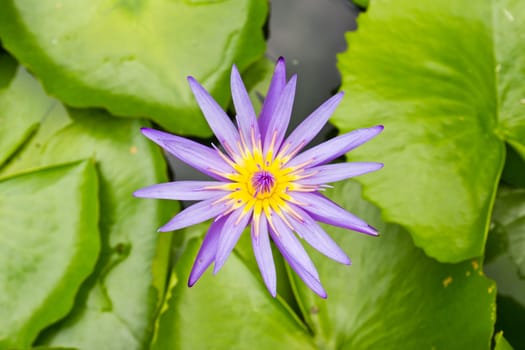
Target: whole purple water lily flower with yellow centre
[(262, 180)]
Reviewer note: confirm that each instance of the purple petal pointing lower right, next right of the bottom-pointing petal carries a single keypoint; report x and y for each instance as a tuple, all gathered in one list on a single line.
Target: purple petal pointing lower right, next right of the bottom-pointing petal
[(294, 253)]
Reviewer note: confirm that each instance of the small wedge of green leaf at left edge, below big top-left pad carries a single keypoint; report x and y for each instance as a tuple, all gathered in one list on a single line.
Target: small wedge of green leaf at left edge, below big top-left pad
[(18, 119)]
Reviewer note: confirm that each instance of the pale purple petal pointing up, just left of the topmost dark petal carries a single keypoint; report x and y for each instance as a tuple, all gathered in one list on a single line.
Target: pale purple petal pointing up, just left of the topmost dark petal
[(246, 117)]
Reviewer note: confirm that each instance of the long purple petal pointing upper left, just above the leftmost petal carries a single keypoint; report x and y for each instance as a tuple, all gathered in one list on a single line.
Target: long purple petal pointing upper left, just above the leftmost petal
[(200, 157)]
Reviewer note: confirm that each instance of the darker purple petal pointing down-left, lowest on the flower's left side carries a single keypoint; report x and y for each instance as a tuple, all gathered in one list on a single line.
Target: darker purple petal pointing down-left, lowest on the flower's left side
[(207, 251)]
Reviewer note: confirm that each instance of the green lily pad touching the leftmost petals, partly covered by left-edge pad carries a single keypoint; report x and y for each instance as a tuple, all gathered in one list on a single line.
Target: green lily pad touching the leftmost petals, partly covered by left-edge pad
[(119, 301)]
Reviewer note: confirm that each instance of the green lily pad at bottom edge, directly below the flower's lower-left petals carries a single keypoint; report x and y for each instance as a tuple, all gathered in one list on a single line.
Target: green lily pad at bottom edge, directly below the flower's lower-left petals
[(231, 310)]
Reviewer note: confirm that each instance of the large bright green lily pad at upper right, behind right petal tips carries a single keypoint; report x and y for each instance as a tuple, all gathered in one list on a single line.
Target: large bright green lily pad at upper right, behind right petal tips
[(446, 80)]
